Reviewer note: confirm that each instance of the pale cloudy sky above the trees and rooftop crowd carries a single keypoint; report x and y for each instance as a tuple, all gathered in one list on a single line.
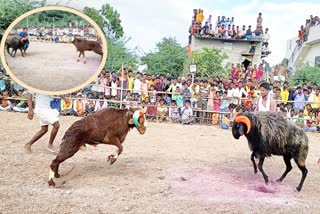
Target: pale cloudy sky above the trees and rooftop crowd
[(146, 22)]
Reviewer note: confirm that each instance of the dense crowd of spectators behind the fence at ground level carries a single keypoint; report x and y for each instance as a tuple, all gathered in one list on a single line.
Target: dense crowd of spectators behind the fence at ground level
[(203, 100)]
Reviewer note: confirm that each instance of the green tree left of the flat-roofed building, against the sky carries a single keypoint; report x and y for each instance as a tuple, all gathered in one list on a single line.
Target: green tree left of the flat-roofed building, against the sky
[(168, 57)]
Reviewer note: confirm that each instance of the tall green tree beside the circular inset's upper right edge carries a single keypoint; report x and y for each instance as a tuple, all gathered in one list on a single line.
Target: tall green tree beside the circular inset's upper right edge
[(108, 19)]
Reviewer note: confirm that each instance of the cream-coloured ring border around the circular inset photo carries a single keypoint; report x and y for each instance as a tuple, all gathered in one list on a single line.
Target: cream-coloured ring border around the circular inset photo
[(48, 8)]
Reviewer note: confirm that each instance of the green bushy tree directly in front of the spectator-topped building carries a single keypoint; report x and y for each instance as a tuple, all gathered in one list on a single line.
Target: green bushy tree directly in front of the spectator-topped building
[(209, 62)]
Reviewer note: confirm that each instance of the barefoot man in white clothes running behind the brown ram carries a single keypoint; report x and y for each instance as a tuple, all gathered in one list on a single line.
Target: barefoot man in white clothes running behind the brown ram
[(46, 115)]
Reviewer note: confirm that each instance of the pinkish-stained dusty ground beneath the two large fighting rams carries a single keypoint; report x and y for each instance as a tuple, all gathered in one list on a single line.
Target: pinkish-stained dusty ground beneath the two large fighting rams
[(171, 169)]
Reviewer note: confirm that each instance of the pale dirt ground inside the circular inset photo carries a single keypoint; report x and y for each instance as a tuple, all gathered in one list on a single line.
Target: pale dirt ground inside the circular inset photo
[(45, 62)]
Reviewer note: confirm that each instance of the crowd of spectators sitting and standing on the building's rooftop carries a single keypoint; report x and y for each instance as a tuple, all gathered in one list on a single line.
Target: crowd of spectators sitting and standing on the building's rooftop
[(225, 28)]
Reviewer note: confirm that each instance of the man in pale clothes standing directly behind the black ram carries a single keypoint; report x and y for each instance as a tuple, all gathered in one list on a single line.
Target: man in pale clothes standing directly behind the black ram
[(265, 101)]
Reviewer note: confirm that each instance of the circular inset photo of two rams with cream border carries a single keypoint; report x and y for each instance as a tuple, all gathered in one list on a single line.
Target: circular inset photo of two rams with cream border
[(53, 50)]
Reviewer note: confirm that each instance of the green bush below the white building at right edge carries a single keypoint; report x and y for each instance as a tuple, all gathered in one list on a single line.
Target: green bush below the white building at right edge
[(306, 74)]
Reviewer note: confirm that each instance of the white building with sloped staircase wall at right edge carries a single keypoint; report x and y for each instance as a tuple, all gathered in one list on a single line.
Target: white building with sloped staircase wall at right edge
[(309, 52)]
